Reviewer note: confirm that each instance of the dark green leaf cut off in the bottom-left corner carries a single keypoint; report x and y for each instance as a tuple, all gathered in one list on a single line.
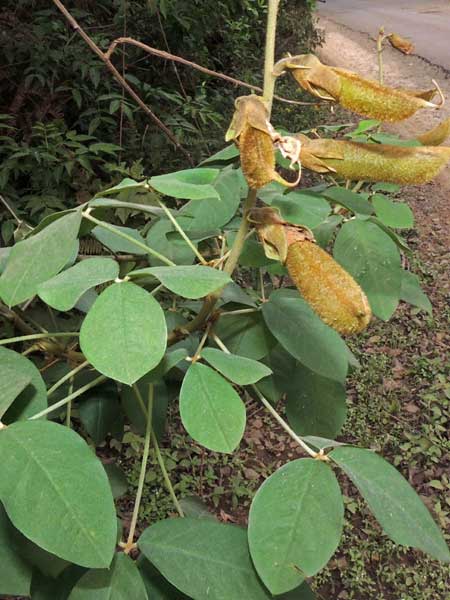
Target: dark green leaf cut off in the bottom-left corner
[(15, 573)]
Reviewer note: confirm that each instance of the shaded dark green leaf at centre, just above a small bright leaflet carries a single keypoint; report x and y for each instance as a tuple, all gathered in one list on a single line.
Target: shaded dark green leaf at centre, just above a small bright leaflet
[(245, 335)]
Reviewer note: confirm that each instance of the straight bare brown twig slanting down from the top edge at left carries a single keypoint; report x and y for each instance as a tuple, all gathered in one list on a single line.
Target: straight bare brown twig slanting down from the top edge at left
[(120, 79)]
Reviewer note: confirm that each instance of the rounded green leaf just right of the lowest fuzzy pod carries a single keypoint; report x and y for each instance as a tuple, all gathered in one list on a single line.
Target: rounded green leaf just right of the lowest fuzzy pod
[(373, 259)]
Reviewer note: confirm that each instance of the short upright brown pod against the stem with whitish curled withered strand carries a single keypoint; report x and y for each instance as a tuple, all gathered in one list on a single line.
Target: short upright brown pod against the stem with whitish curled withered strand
[(252, 132)]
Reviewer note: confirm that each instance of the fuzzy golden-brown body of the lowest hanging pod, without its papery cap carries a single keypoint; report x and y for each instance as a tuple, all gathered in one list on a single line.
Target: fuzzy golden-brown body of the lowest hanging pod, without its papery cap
[(332, 293)]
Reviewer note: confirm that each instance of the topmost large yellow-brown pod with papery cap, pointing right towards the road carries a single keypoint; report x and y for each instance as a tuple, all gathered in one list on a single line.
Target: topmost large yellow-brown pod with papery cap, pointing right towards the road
[(352, 91)]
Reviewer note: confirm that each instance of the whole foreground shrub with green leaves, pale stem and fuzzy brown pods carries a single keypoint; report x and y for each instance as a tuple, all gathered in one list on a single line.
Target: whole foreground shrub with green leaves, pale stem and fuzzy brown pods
[(122, 326)]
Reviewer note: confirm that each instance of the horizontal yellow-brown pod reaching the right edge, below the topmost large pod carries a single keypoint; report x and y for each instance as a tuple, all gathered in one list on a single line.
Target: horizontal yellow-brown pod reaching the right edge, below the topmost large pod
[(375, 162)]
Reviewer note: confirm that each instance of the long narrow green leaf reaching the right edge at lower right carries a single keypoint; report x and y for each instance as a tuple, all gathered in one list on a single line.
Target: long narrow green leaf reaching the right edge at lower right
[(395, 504)]
